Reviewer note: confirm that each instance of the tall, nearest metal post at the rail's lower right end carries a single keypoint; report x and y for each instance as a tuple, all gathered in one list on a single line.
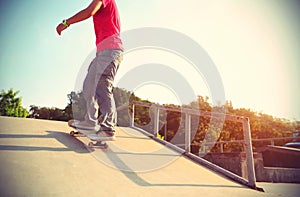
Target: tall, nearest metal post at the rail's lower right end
[(249, 153)]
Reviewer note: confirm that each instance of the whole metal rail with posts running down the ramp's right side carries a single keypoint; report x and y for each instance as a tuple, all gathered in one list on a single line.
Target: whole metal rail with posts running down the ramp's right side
[(251, 182)]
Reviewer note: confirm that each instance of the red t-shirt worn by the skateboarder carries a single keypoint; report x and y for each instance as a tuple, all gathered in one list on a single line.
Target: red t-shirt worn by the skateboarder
[(107, 26)]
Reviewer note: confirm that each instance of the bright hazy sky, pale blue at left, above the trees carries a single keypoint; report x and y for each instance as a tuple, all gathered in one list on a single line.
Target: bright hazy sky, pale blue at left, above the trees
[(254, 45)]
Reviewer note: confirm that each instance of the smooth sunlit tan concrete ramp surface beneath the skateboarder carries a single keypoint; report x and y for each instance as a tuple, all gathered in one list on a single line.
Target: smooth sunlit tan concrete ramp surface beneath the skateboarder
[(40, 158)]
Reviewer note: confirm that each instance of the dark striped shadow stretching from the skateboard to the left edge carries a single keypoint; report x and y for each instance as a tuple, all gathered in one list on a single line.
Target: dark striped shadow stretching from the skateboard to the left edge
[(71, 143)]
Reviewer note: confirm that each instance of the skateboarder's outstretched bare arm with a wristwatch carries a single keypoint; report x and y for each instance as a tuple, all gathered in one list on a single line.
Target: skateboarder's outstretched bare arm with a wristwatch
[(80, 16)]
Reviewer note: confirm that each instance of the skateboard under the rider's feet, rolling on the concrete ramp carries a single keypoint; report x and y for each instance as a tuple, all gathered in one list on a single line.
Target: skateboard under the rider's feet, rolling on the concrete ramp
[(94, 141)]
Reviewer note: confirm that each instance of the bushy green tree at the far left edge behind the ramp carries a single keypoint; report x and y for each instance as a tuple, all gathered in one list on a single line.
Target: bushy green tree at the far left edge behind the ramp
[(11, 105)]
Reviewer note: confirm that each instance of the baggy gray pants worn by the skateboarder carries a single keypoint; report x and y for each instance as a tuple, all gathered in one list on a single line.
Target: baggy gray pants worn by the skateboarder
[(98, 86)]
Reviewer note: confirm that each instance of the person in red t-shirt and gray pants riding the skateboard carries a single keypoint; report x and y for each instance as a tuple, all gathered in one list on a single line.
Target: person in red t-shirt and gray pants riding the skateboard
[(98, 84)]
